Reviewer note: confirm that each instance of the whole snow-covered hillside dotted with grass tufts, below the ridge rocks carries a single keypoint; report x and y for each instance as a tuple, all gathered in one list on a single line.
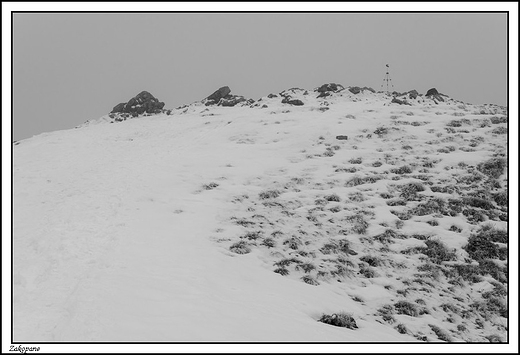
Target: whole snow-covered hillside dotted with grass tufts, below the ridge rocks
[(250, 223)]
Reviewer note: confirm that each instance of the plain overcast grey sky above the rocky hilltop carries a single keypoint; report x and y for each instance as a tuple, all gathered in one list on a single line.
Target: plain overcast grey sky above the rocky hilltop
[(69, 68)]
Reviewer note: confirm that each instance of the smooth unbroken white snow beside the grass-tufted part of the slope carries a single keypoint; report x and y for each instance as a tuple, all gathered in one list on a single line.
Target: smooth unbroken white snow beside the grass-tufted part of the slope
[(113, 228)]
